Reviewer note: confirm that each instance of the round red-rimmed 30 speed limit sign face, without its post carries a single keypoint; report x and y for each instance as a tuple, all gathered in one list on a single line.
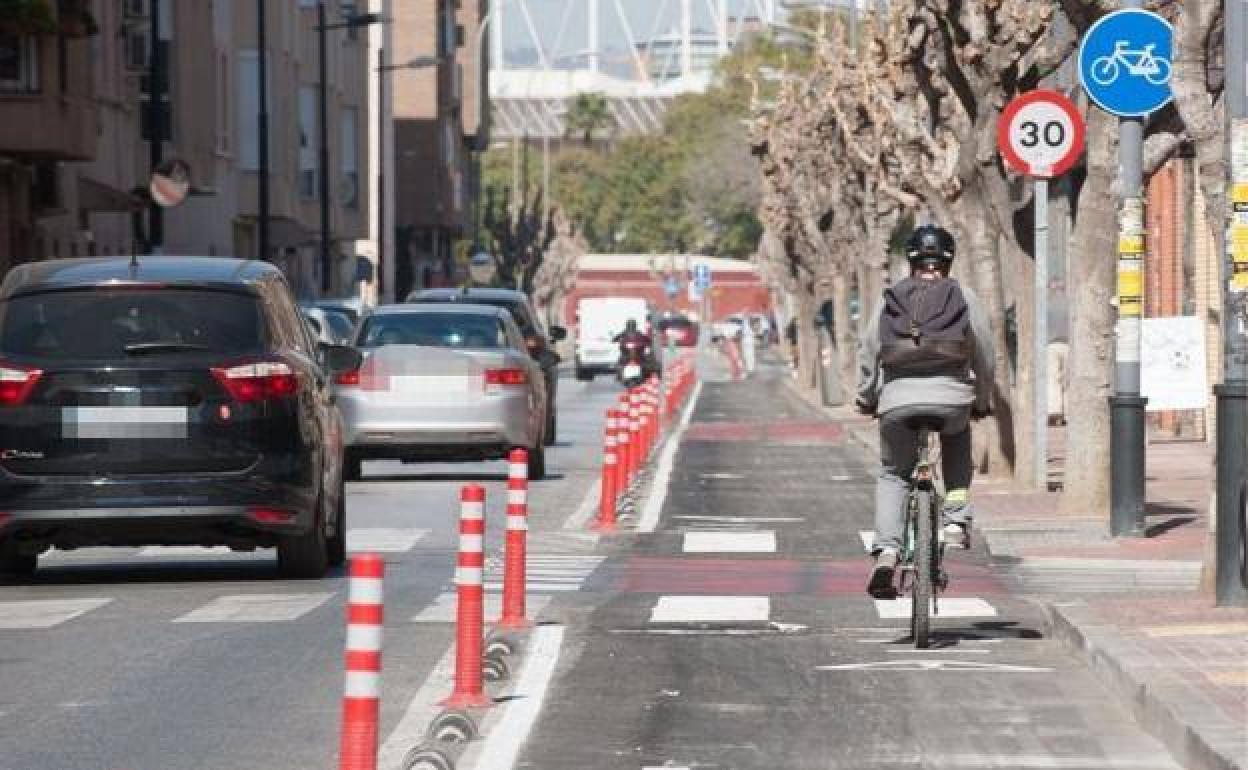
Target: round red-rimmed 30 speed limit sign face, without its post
[(1041, 134)]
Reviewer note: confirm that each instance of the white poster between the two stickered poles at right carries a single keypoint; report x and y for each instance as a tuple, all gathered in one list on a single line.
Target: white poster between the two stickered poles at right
[(1172, 369)]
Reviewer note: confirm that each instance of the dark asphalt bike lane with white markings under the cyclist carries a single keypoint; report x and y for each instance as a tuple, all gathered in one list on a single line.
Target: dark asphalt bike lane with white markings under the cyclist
[(739, 636)]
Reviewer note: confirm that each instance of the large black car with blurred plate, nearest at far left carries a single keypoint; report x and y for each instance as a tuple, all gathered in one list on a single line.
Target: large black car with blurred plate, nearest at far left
[(167, 401)]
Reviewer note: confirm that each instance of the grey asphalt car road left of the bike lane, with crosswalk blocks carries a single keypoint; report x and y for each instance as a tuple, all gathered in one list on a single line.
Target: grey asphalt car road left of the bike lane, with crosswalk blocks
[(178, 660)]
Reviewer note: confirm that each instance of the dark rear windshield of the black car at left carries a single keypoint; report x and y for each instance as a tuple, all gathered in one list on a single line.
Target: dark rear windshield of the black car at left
[(104, 324)]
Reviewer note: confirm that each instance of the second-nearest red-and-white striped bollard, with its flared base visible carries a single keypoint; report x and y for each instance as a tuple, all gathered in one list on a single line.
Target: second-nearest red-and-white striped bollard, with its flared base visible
[(470, 612)]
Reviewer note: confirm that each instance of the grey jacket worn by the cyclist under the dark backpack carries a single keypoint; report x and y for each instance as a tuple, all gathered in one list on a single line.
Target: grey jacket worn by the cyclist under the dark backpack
[(974, 389)]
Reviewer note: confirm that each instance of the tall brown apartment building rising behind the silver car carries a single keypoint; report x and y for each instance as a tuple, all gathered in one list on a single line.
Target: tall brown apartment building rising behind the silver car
[(439, 78)]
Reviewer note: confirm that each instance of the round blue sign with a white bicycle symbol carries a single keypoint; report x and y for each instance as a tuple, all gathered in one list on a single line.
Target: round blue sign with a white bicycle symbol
[(1125, 63)]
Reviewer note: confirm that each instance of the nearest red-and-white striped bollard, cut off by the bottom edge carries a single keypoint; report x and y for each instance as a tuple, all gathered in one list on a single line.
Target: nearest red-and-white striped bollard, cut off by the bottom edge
[(361, 698)]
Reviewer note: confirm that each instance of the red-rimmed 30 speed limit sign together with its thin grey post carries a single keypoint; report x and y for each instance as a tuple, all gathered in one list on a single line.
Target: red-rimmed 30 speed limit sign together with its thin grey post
[(1041, 135)]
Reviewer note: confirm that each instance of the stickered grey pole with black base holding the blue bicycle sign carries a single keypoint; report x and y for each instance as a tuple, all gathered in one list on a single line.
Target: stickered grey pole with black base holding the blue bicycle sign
[(1128, 425)]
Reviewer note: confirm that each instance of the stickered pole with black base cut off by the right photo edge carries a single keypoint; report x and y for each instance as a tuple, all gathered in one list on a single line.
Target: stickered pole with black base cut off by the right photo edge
[(1232, 396)]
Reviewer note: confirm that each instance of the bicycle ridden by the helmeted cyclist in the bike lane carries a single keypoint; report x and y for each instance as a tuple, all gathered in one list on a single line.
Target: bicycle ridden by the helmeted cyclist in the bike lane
[(920, 562)]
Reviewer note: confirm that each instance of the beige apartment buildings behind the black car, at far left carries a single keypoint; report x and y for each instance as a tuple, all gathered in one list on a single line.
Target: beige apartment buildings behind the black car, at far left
[(77, 132)]
